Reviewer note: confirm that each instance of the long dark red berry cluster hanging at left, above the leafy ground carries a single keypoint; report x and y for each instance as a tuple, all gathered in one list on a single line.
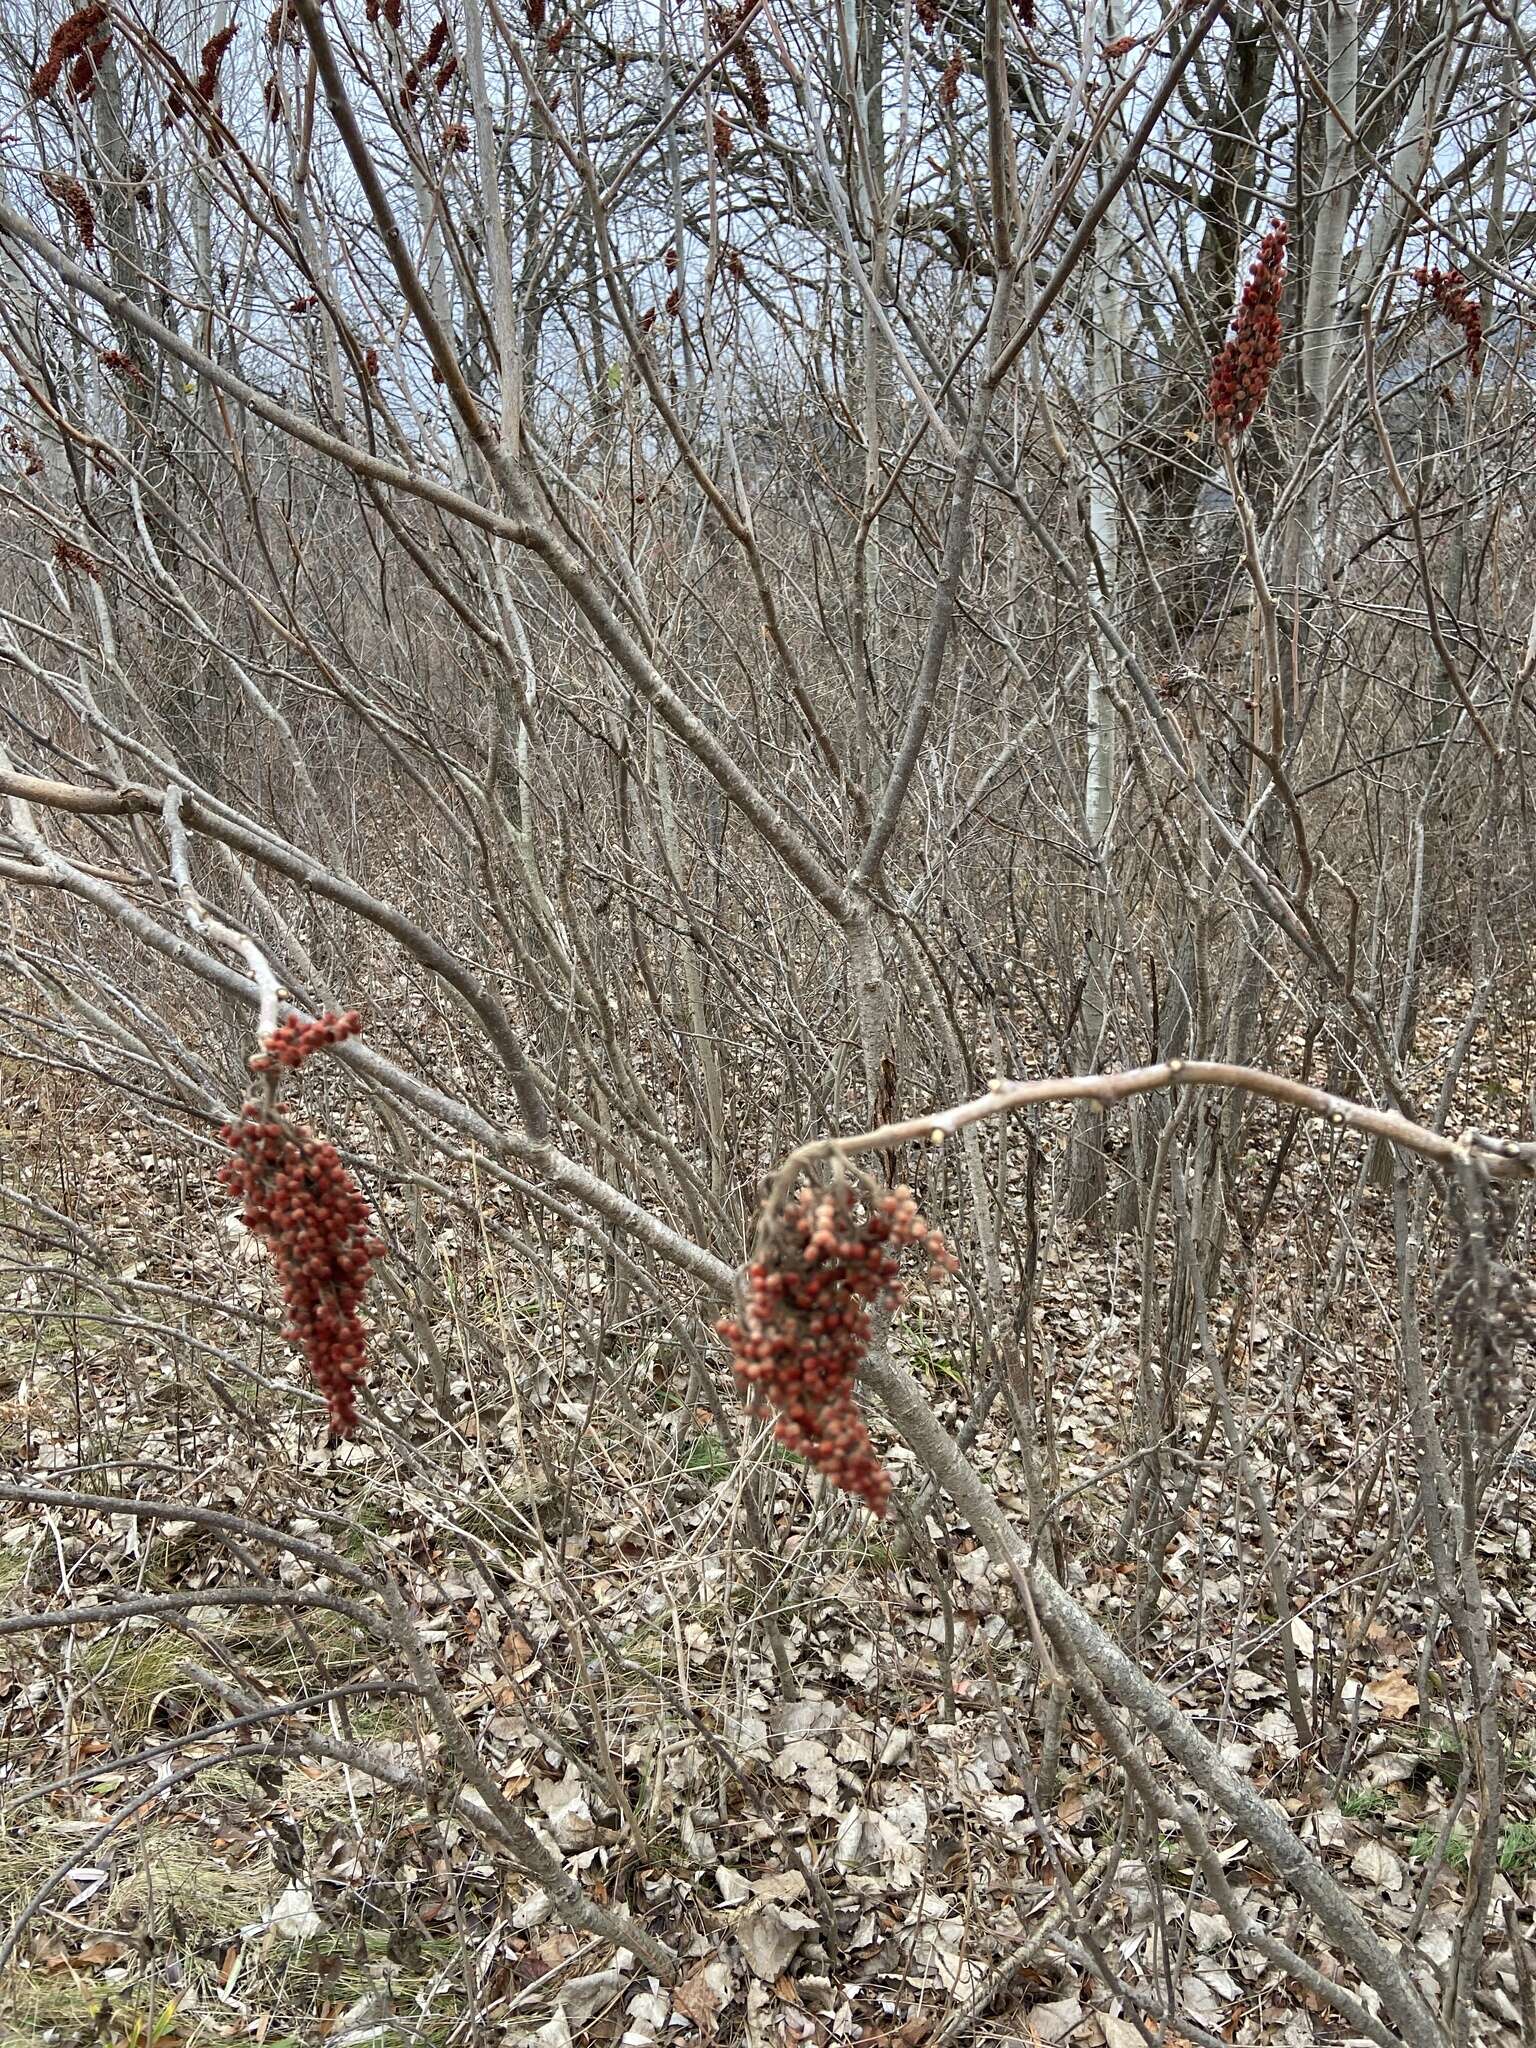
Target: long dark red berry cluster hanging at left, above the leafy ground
[(308, 1209)]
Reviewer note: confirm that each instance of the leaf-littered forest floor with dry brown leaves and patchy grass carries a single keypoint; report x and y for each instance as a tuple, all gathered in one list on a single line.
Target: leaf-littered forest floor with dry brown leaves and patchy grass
[(859, 1863)]
